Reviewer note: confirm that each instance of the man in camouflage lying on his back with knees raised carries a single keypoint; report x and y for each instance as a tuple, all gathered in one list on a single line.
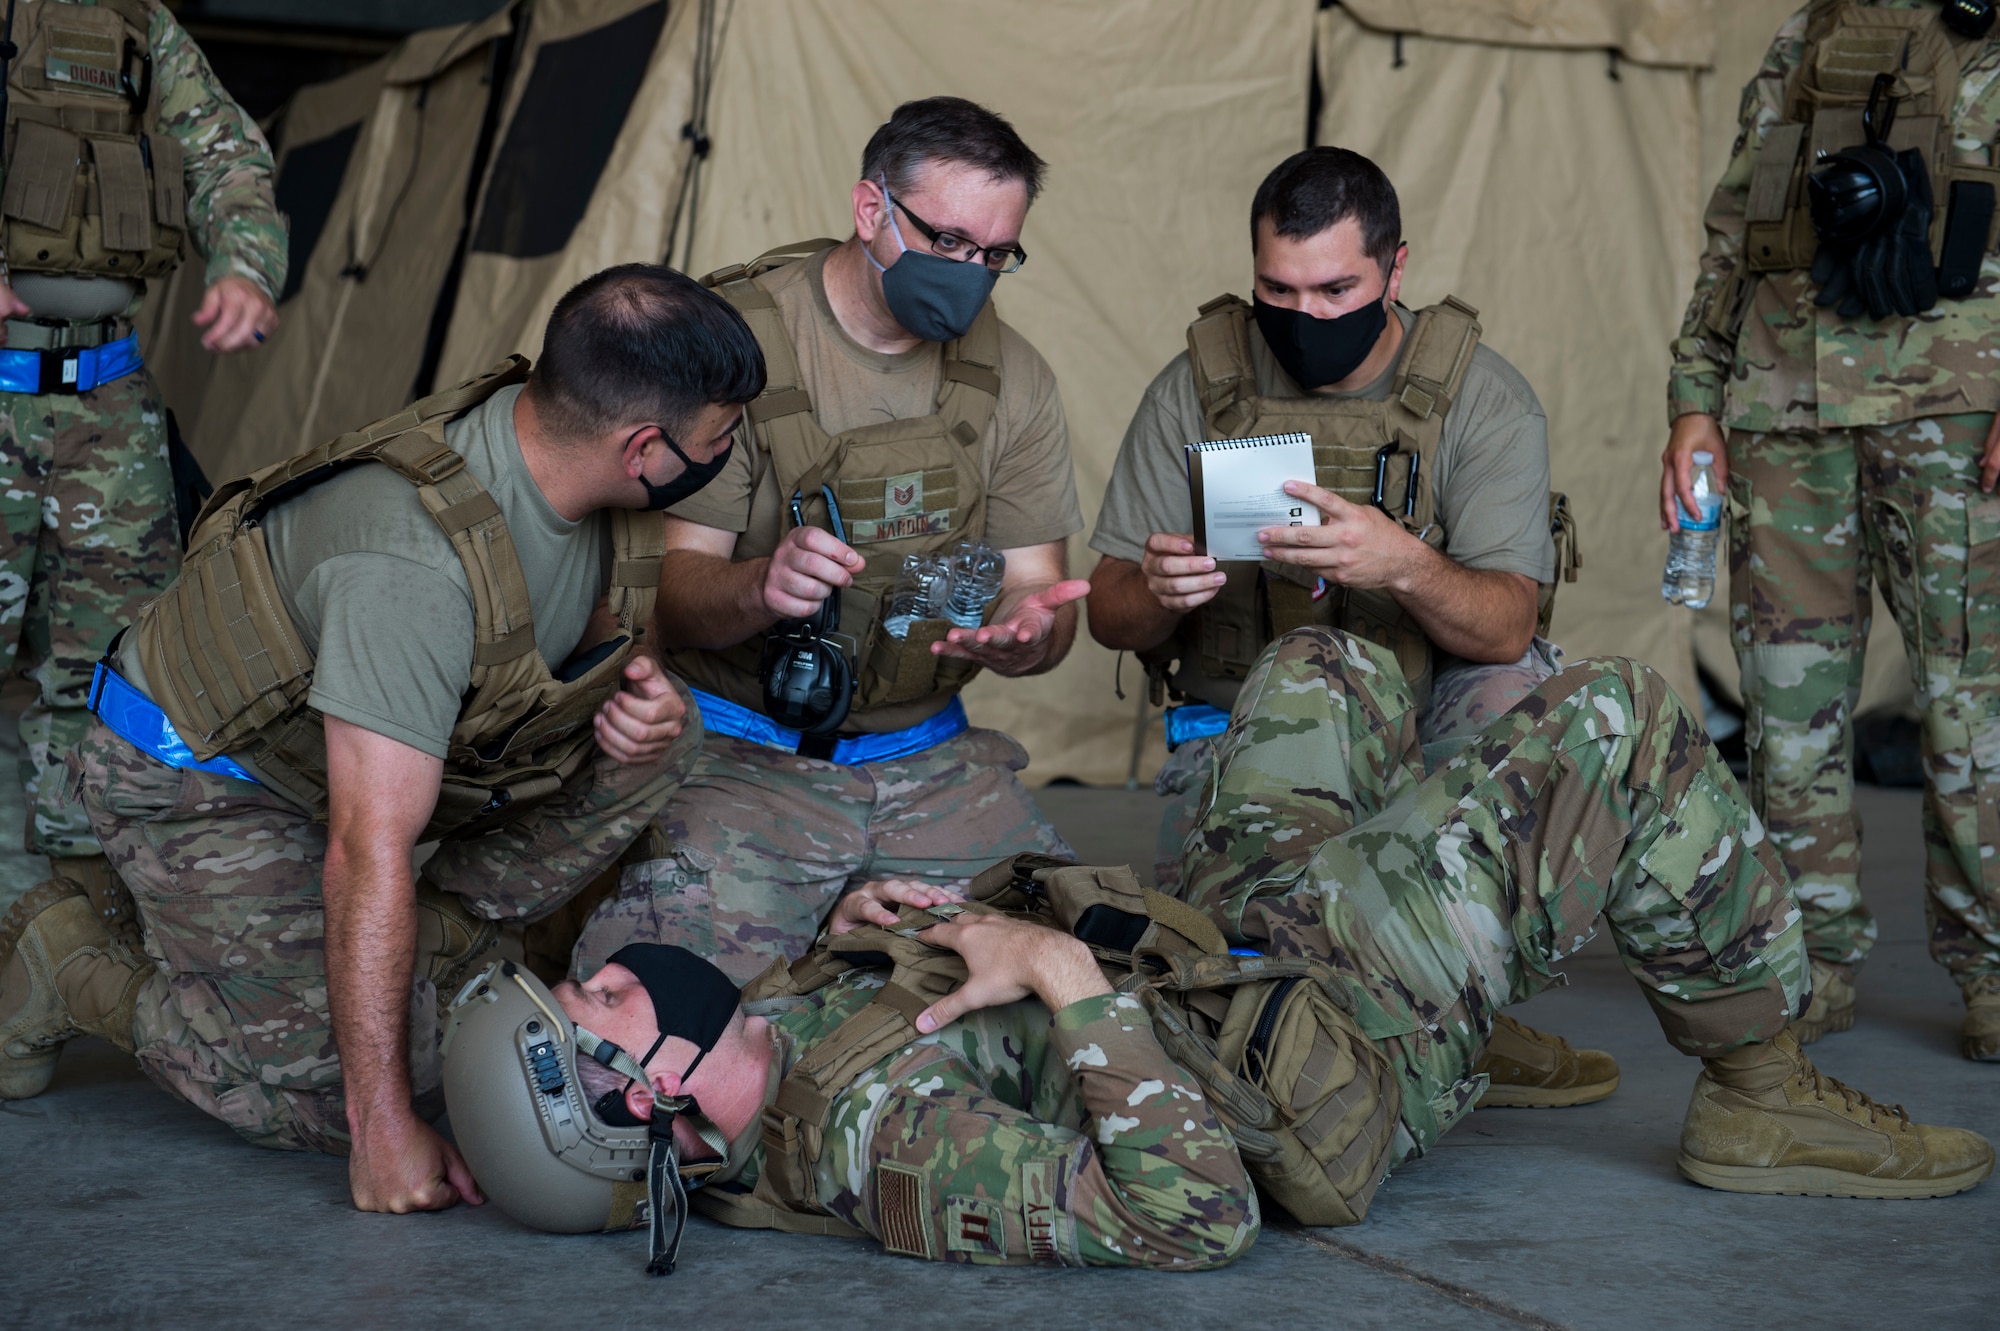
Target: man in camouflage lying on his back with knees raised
[(1435, 900)]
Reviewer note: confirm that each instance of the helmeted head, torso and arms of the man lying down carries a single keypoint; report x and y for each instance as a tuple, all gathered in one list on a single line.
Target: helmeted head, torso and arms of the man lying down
[(999, 1132)]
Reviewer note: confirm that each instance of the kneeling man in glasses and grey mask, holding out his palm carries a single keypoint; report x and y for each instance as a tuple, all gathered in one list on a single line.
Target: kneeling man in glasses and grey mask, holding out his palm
[(901, 419)]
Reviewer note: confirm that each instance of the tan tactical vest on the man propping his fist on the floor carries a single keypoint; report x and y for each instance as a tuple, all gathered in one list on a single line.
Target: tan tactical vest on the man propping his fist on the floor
[(227, 665)]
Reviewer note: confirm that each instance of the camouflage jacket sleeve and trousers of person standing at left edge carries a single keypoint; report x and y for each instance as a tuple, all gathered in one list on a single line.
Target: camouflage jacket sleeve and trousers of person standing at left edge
[(85, 485)]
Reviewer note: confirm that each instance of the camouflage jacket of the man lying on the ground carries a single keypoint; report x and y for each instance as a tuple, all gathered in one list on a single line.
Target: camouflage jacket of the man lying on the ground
[(1021, 1138)]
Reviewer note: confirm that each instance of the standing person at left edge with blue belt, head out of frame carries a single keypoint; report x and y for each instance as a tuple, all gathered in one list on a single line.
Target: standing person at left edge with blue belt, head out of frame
[(119, 143)]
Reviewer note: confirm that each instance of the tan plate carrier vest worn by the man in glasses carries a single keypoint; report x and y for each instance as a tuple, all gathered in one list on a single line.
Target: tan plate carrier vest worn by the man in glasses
[(905, 487)]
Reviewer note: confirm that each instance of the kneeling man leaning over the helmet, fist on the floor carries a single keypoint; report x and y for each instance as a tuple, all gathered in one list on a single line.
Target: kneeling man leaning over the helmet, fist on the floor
[(431, 629)]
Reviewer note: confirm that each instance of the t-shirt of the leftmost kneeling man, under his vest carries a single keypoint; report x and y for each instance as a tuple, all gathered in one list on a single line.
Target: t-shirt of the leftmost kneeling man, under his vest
[(383, 603)]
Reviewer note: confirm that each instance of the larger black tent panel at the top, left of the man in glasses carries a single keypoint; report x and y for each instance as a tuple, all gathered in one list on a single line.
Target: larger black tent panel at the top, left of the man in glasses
[(565, 129)]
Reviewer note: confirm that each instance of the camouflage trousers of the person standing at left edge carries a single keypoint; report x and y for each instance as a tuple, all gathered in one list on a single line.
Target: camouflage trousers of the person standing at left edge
[(87, 505)]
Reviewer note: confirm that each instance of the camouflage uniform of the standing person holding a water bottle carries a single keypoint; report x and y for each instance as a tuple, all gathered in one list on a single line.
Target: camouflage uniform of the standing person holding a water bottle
[(1827, 495)]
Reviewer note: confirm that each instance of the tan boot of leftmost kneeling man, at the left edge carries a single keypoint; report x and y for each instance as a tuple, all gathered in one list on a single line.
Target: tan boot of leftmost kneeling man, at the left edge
[(61, 974)]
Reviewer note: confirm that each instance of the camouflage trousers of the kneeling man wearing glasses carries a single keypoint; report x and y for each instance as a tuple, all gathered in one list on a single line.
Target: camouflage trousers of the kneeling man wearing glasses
[(765, 842)]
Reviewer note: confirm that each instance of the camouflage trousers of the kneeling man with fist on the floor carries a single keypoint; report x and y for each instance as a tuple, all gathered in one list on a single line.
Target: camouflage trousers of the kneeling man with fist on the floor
[(227, 880)]
